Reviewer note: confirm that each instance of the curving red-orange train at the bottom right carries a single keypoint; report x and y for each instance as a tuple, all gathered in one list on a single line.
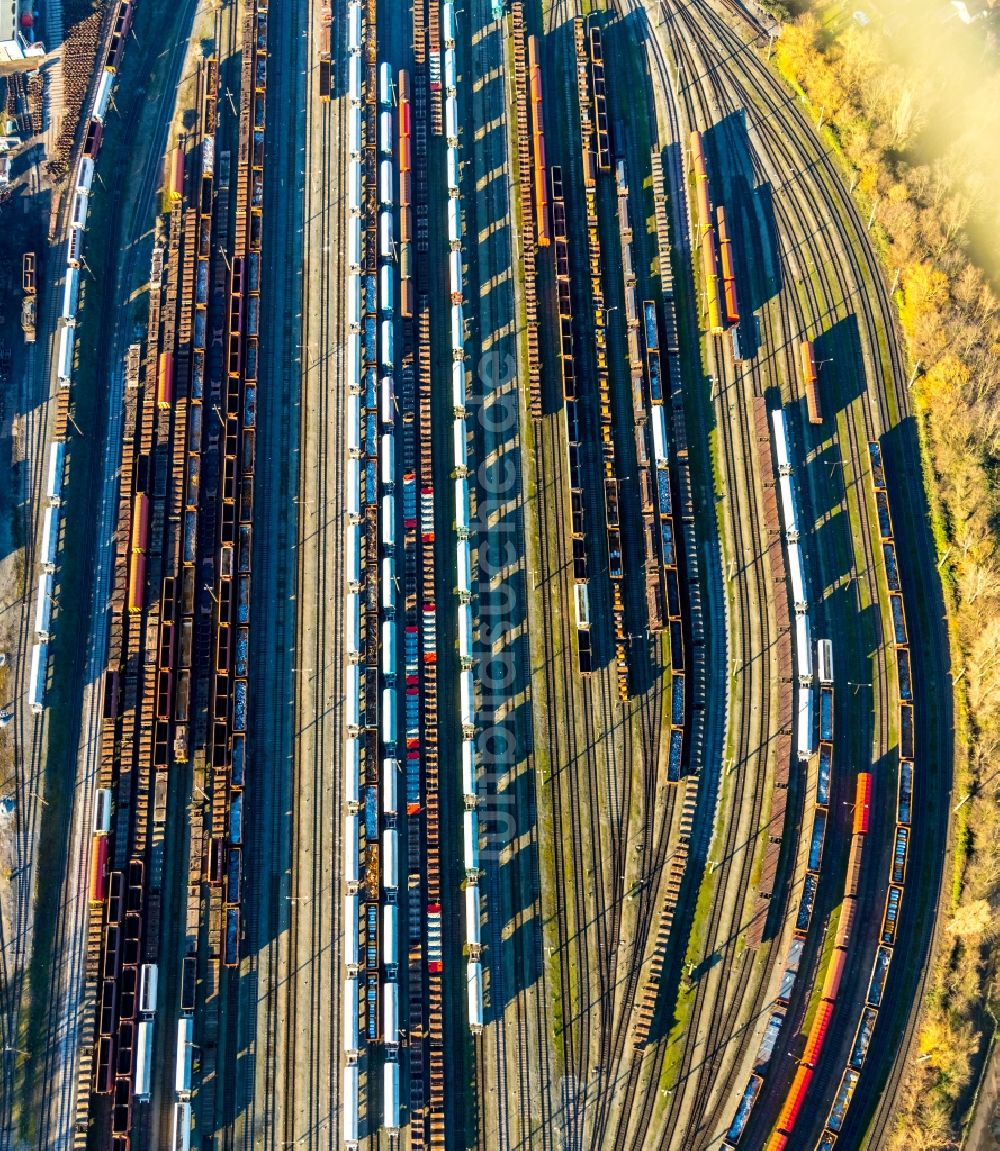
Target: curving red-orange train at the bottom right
[(816, 1038)]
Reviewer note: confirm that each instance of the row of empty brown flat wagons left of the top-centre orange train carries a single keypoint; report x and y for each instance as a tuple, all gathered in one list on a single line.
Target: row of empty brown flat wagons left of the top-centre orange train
[(528, 201)]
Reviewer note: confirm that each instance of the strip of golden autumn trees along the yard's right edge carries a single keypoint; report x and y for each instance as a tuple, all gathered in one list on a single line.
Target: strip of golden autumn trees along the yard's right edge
[(951, 319)]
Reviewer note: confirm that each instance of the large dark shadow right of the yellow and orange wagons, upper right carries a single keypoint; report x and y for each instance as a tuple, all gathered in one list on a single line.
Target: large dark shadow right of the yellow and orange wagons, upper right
[(750, 211)]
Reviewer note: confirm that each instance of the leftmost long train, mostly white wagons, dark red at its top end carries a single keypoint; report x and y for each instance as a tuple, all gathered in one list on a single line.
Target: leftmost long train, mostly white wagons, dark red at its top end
[(39, 665)]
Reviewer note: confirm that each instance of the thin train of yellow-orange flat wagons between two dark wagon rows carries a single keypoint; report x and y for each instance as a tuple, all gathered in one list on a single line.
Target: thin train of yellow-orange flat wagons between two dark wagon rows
[(616, 563)]
